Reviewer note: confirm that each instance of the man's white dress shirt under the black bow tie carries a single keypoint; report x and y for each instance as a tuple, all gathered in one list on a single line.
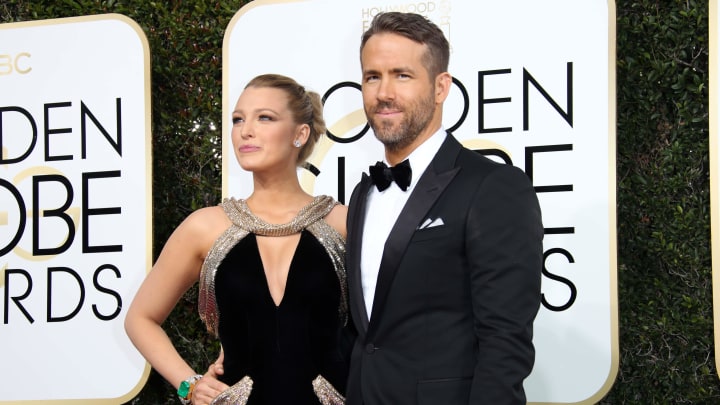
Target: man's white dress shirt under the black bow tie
[(383, 209)]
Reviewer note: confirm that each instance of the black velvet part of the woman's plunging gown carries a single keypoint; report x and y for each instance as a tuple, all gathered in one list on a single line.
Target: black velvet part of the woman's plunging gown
[(284, 347)]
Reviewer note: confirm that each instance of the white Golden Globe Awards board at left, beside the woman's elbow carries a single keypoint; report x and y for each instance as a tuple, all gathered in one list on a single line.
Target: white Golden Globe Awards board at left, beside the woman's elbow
[(75, 207)]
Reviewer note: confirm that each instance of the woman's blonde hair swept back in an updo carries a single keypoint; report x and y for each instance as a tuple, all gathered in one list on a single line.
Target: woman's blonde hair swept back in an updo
[(305, 105)]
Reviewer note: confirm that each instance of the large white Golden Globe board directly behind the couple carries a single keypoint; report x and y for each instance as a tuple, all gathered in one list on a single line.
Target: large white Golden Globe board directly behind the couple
[(534, 86)]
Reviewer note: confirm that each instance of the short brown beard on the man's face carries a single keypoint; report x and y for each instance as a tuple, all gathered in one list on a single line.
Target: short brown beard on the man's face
[(395, 137)]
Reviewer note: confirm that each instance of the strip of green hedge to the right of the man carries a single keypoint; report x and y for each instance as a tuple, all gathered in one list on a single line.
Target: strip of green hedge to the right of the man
[(665, 294)]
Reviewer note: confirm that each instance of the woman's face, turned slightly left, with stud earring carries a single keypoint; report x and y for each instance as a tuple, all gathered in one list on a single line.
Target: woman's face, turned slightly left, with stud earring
[(264, 130)]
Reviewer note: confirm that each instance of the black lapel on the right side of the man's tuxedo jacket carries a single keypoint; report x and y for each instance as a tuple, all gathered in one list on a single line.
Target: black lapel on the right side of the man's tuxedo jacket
[(428, 189)]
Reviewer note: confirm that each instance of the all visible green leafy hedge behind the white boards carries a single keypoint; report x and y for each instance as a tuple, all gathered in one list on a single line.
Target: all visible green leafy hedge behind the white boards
[(665, 293)]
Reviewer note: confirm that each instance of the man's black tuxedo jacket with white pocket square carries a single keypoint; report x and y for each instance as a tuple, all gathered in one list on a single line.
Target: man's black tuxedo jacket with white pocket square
[(454, 305)]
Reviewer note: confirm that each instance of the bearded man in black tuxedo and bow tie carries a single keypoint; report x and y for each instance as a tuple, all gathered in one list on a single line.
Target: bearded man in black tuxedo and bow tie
[(444, 258)]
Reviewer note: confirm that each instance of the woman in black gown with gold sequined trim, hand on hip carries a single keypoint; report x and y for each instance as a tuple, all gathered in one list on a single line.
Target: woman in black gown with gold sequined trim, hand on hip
[(270, 267)]
